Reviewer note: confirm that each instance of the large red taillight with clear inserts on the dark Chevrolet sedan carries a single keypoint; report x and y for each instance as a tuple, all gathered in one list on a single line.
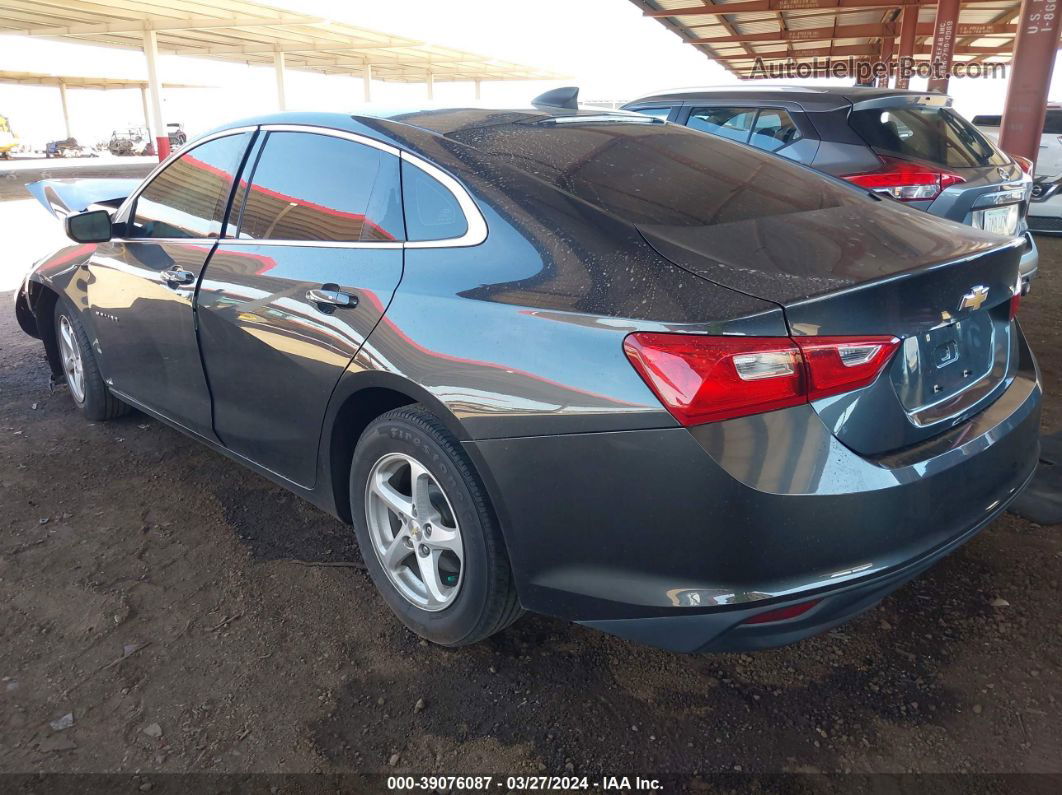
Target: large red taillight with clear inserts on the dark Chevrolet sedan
[(706, 379)]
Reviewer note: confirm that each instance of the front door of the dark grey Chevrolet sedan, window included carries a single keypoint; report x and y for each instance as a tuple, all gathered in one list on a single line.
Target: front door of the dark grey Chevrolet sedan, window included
[(142, 286)]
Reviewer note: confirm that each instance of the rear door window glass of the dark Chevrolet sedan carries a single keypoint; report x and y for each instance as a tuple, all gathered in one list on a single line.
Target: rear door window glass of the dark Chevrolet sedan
[(312, 187)]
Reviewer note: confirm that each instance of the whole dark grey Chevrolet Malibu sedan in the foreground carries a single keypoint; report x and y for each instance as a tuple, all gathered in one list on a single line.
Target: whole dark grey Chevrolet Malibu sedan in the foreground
[(587, 365)]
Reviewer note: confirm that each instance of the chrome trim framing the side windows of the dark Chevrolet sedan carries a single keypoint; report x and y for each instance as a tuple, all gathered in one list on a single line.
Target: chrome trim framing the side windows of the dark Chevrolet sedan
[(475, 234)]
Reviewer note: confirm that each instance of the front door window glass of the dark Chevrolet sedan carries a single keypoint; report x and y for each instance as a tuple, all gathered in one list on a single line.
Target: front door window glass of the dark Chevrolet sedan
[(189, 199)]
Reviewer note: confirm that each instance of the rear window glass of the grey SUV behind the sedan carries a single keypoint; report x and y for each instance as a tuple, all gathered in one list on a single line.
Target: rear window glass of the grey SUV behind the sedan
[(935, 134)]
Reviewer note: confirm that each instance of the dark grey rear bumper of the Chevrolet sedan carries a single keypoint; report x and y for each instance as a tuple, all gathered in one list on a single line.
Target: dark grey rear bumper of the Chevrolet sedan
[(675, 538)]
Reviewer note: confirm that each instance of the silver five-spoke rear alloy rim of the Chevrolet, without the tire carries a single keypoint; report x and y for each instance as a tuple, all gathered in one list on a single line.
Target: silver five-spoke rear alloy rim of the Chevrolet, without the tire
[(415, 532)]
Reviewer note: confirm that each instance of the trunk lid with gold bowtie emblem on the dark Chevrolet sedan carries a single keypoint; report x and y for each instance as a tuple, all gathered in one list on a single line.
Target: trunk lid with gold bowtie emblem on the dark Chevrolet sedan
[(863, 270)]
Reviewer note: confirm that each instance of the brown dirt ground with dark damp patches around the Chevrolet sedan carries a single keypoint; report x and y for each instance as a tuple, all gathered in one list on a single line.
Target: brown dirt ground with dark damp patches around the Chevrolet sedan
[(190, 616)]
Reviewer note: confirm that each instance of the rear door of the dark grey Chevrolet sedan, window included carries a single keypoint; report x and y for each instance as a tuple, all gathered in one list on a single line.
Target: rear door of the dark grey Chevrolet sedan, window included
[(289, 300)]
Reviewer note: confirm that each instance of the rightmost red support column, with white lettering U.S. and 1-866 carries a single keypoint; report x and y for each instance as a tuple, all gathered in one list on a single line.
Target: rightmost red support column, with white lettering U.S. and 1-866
[(1031, 77)]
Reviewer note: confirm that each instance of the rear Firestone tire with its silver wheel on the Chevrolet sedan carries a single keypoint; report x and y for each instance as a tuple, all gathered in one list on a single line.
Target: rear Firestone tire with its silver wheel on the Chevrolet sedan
[(484, 600)]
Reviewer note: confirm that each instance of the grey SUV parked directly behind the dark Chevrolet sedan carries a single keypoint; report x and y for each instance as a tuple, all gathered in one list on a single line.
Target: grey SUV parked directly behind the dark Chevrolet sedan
[(909, 146)]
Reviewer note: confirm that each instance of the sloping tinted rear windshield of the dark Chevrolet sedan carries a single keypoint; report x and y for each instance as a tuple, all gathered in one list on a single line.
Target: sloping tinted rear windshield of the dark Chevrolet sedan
[(659, 175)]
